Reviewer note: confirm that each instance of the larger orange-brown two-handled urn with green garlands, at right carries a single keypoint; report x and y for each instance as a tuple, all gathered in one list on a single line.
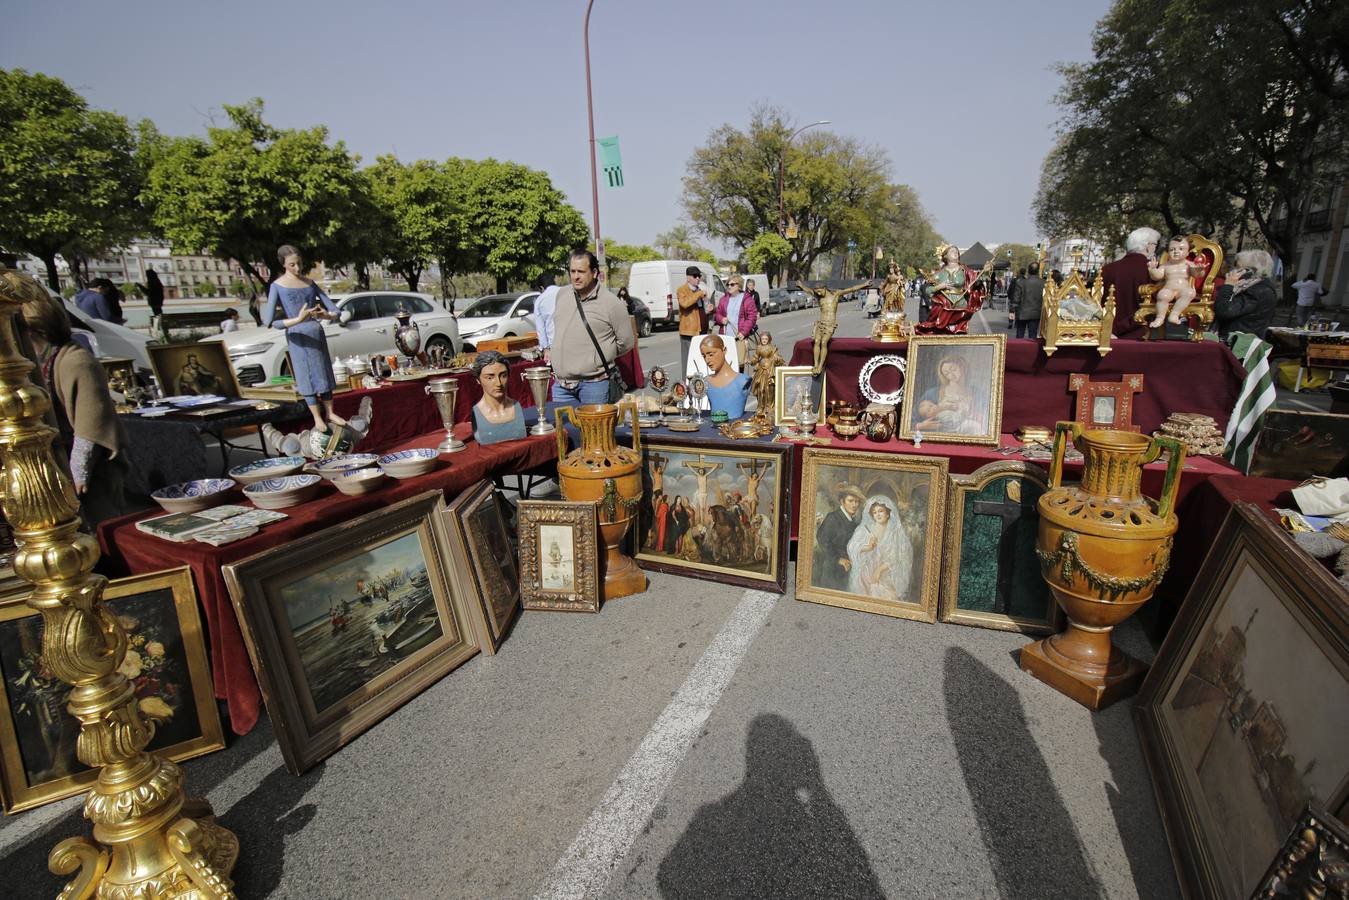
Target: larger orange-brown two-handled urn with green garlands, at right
[(1103, 549)]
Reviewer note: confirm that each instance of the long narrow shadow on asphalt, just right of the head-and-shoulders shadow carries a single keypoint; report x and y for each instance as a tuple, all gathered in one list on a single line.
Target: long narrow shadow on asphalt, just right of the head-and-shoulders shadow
[(1030, 836)]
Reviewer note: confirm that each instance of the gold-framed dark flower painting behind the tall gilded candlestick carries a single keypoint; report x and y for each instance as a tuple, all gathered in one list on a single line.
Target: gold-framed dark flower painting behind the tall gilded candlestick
[(168, 669)]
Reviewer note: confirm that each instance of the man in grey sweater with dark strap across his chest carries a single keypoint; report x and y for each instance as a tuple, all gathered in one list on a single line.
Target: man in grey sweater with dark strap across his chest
[(579, 372)]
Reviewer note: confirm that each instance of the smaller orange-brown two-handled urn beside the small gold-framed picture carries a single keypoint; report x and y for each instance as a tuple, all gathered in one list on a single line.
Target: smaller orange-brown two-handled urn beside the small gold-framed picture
[(602, 470)]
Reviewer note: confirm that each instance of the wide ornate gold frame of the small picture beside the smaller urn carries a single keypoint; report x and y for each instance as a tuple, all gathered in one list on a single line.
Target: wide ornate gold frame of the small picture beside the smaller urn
[(583, 519)]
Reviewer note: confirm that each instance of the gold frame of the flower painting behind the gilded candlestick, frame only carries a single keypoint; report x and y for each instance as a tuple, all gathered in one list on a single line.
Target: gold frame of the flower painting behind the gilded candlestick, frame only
[(17, 795)]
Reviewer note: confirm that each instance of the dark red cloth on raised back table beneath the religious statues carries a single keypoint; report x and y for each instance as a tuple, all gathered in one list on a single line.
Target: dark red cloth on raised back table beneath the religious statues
[(1180, 377)]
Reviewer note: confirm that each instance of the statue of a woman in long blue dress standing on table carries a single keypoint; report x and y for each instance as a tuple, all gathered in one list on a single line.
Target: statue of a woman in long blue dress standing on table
[(306, 308)]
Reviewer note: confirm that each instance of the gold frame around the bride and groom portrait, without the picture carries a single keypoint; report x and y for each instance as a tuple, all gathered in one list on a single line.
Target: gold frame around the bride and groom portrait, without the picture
[(934, 468)]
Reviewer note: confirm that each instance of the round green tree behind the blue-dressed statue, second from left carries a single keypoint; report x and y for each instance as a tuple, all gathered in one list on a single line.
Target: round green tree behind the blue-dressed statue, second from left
[(249, 188)]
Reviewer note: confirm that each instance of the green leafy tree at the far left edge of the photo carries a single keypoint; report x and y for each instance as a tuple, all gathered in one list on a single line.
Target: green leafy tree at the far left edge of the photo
[(68, 173)]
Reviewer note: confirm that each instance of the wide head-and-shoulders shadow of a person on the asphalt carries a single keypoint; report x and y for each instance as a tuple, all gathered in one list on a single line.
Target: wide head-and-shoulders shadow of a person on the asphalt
[(779, 835)]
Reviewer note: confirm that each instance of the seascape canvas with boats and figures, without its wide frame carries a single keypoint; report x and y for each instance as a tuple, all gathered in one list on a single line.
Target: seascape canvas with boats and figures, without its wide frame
[(361, 617)]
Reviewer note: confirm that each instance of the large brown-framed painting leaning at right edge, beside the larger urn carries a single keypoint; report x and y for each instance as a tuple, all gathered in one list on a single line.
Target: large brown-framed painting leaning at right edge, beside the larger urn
[(1244, 717)]
